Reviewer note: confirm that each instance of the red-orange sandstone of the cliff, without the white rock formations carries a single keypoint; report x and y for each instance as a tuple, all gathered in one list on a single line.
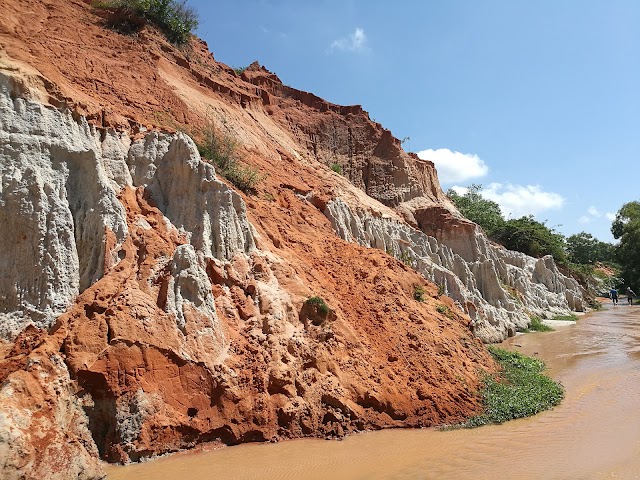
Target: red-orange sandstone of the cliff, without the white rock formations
[(117, 376)]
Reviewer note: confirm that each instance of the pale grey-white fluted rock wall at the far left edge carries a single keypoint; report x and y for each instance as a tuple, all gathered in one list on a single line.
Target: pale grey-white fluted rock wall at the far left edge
[(56, 205)]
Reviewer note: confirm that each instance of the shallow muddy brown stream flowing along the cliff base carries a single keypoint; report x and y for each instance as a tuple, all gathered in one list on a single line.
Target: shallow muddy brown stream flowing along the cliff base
[(593, 433)]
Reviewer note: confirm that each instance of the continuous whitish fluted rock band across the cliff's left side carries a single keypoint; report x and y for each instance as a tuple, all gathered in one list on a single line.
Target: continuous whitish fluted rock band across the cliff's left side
[(59, 184)]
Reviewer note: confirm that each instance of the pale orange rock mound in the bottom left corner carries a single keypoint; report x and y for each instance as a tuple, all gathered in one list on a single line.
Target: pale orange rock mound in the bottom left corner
[(43, 428)]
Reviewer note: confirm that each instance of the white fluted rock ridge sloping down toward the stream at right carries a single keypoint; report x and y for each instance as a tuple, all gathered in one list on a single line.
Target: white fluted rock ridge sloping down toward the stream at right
[(499, 289)]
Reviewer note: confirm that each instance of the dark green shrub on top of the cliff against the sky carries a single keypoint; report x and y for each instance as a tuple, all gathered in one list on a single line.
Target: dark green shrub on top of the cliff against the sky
[(174, 18)]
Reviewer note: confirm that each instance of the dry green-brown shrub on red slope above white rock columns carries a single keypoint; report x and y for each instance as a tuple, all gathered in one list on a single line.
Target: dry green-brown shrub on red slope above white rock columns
[(222, 151)]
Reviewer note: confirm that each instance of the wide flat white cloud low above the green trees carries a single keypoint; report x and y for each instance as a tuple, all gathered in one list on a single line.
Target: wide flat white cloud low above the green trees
[(518, 200)]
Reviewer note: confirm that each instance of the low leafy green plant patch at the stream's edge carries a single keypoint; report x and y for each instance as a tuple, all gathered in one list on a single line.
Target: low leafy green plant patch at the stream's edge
[(520, 390)]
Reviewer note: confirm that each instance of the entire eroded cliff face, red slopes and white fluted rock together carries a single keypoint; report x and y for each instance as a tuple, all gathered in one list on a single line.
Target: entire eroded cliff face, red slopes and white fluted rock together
[(159, 308)]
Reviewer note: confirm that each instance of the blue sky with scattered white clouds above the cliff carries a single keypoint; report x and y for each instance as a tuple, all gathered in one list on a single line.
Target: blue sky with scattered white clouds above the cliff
[(538, 101)]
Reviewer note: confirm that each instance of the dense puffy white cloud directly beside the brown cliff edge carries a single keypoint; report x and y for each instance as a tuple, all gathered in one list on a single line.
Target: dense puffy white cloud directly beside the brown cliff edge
[(455, 166)]
